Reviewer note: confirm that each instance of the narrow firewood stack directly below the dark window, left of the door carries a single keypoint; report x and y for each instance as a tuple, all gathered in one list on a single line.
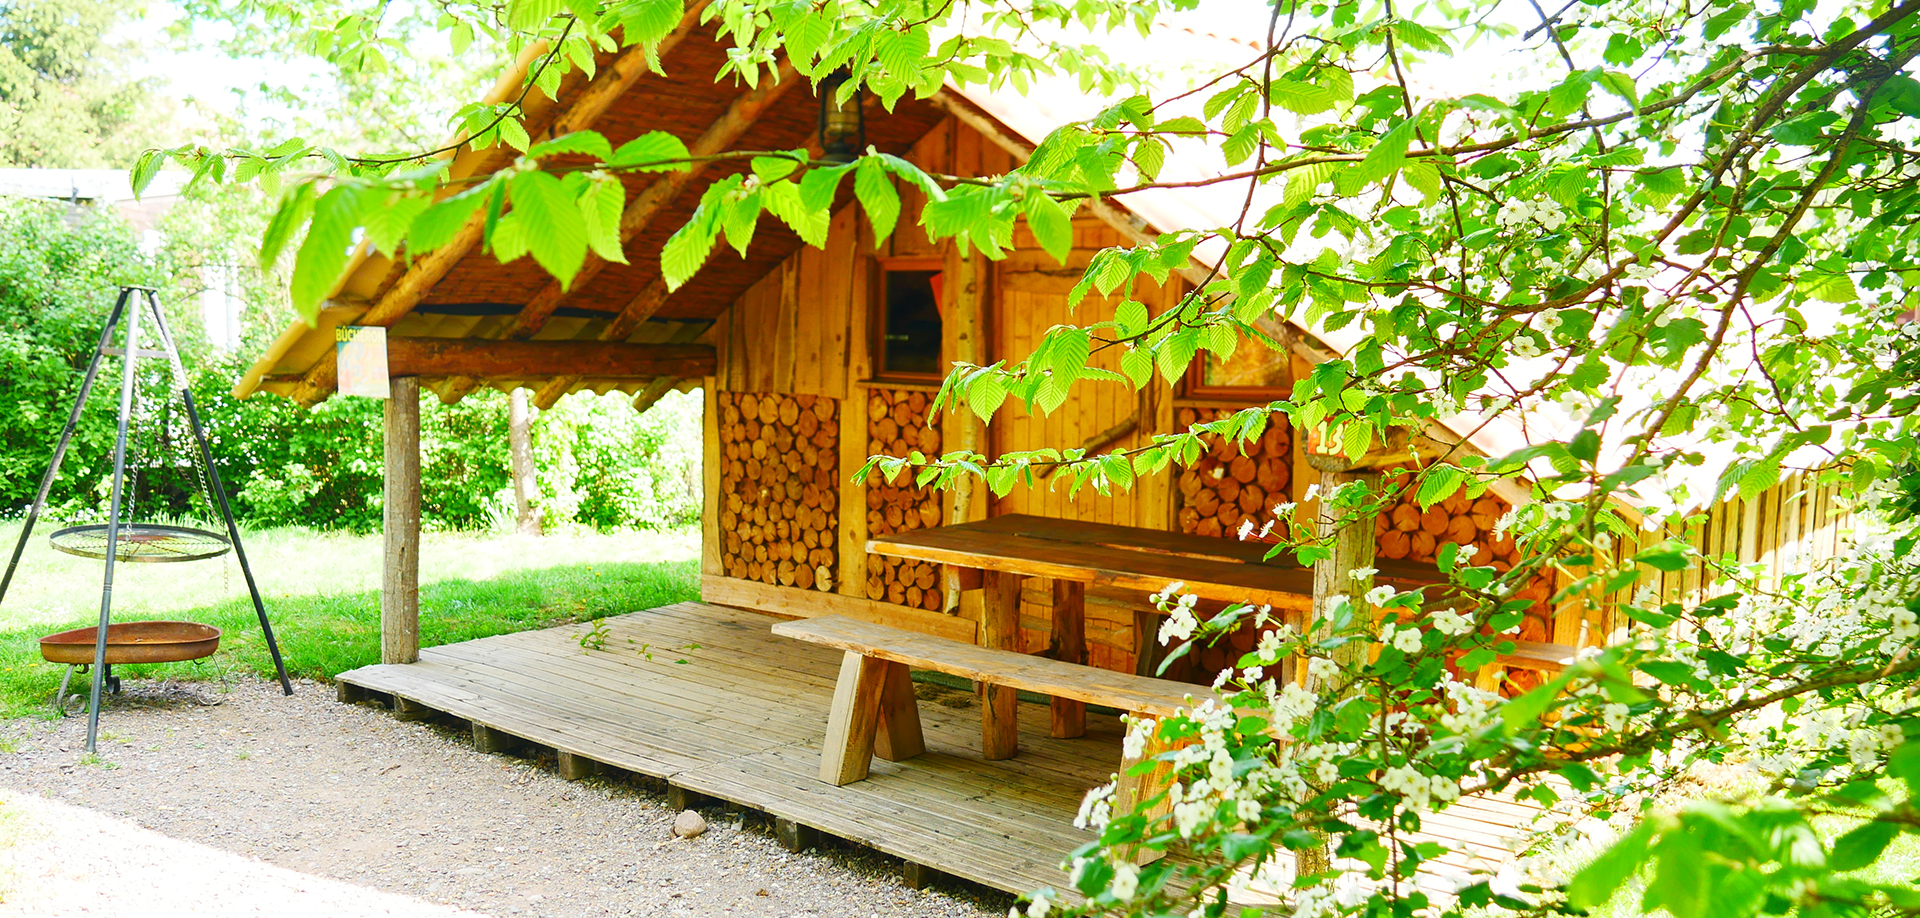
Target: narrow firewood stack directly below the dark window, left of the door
[(898, 425)]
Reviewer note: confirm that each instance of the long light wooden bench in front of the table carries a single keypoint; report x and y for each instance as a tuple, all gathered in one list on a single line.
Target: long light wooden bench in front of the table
[(875, 710)]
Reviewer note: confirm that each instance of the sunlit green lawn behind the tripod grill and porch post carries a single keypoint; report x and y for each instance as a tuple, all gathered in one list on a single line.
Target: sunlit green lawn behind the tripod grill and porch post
[(324, 598)]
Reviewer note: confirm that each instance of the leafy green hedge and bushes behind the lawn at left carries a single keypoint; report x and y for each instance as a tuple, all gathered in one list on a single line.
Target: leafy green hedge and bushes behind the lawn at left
[(602, 466)]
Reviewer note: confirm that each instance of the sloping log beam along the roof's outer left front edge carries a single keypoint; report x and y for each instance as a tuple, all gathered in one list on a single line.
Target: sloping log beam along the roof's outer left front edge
[(423, 276)]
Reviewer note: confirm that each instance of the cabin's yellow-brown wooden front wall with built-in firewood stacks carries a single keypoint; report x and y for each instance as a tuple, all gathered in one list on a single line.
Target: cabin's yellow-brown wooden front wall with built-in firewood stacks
[(802, 337)]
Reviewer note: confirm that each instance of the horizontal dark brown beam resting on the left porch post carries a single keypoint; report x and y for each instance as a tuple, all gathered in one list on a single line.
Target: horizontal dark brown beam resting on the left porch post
[(523, 360)]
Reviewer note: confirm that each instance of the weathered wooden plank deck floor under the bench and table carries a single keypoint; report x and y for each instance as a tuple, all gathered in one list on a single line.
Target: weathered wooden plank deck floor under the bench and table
[(706, 698)]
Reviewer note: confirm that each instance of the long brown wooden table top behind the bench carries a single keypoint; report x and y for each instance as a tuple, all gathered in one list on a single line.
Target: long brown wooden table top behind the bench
[(1124, 558)]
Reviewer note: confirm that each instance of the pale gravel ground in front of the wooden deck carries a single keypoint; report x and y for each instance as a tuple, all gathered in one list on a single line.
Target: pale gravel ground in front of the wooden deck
[(302, 806)]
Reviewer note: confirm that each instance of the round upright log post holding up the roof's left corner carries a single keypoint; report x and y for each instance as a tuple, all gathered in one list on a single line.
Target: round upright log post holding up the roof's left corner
[(400, 585)]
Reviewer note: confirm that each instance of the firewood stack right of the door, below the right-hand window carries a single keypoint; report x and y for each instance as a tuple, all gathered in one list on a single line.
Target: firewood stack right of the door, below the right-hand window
[(1236, 483)]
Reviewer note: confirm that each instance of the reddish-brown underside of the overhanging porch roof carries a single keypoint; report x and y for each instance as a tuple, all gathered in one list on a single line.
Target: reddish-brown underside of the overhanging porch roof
[(479, 299)]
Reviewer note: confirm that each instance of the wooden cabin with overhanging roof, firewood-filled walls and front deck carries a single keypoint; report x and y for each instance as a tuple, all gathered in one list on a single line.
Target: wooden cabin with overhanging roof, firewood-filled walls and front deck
[(811, 360)]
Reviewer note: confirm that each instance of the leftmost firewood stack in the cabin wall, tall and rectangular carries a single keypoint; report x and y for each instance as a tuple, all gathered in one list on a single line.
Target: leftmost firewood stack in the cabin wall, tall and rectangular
[(779, 489)]
